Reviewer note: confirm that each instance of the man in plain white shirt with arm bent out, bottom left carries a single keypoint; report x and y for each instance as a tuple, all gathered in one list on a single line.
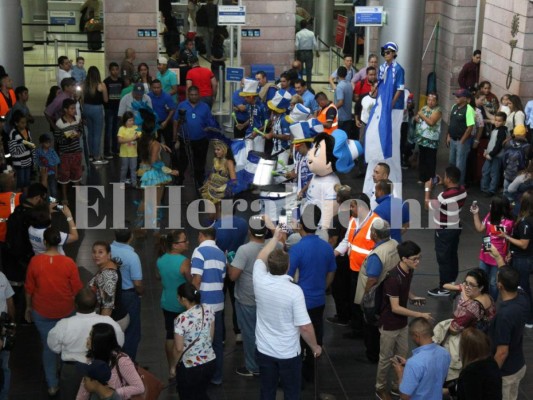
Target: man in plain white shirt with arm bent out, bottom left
[(69, 338)]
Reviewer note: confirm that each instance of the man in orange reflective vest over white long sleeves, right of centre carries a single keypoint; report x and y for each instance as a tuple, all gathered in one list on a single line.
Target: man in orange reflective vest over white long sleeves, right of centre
[(358, 243)]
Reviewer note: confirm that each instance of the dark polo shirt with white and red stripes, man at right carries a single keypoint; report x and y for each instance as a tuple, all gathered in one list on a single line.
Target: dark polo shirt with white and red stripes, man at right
[(449, 204)]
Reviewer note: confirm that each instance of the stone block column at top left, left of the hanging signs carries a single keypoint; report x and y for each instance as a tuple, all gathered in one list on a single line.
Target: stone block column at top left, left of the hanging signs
[(122, 19)]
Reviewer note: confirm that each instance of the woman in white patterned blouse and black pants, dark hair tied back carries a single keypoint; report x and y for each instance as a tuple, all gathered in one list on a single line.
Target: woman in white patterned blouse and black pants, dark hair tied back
[(193, 336)]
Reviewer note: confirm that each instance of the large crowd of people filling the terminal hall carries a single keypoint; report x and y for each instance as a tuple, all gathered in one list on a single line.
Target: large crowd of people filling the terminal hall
[(343, 240)]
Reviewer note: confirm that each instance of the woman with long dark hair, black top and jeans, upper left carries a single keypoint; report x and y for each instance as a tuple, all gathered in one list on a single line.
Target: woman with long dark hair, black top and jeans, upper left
[(94, 97)]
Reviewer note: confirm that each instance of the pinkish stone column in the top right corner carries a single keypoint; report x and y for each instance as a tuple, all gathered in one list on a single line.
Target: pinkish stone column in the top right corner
[(509, 70)]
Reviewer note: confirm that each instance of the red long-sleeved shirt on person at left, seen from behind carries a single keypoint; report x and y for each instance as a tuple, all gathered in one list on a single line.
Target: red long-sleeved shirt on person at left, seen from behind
[(52, 282)]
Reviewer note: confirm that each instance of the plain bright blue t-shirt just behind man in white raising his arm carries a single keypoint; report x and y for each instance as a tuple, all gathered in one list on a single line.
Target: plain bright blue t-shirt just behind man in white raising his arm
[(313, 258)]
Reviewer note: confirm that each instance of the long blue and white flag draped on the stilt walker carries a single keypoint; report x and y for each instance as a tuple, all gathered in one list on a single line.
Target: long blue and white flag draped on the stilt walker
[(378, 137)]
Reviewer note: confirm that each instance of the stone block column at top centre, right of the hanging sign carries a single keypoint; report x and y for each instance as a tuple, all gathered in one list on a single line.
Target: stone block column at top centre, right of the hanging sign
[(275, 19)]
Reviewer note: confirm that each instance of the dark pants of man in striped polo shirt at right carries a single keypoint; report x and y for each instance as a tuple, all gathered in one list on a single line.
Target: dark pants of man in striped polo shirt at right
[(446, 247)]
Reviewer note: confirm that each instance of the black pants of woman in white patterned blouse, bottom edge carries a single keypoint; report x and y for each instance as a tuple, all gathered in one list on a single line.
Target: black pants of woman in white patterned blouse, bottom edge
[(192, 382)]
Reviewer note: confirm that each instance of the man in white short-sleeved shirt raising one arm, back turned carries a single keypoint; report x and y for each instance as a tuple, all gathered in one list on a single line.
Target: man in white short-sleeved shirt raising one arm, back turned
[(281, 318)]
